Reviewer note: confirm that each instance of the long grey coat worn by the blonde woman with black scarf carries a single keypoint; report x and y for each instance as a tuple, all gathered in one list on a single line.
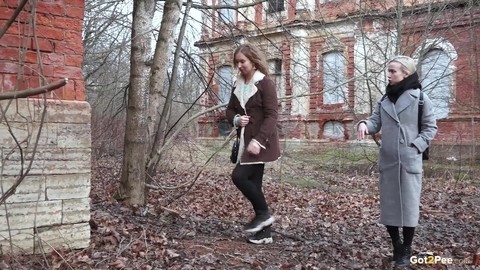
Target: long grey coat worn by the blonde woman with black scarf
[(400, 155)]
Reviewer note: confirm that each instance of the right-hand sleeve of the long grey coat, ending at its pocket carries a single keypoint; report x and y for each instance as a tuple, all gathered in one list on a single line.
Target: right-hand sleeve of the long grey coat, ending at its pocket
[(428, 129)]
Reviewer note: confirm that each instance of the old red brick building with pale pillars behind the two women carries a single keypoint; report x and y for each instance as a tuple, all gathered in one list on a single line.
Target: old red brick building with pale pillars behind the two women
[(330, 55)]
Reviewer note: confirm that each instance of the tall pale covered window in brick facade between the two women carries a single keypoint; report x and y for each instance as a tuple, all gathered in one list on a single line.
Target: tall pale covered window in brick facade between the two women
[(334, 85)]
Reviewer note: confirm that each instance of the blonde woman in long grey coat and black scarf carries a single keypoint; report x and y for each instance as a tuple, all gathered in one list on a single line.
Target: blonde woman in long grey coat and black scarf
[(400, 155)]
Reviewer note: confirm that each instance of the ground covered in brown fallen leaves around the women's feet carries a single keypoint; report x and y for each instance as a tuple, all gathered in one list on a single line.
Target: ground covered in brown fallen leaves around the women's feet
[(325, 220)]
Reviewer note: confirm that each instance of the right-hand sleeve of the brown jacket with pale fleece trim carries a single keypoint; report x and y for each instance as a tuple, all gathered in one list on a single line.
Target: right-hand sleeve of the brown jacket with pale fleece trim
[(270, 111)]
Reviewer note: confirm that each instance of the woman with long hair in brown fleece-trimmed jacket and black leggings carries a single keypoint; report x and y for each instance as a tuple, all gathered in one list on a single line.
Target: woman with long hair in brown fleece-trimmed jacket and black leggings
[(252, 109)]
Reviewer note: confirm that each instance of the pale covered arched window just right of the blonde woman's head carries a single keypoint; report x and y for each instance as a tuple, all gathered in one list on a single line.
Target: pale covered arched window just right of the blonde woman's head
[(436, 78)]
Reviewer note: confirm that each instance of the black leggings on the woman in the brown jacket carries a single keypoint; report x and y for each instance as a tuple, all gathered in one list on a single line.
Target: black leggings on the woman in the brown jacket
[(248, 179)]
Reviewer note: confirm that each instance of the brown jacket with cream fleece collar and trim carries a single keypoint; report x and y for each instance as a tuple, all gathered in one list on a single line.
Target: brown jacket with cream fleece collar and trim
[(261, 105)]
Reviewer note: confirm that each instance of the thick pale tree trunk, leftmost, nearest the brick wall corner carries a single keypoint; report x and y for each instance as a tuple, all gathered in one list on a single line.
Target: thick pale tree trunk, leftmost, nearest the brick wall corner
[(132, 185)]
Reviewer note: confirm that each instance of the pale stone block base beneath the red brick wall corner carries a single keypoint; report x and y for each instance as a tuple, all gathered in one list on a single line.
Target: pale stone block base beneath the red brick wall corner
[(50, 209)]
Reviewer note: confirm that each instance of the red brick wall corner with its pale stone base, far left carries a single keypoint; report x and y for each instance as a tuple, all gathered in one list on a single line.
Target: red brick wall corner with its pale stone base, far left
[(46, 140)]
